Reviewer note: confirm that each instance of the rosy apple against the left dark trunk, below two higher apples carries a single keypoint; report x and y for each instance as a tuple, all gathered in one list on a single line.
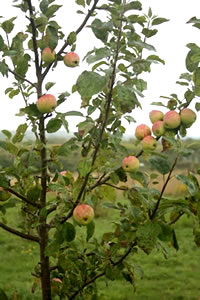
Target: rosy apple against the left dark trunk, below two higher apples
[(46, 103)]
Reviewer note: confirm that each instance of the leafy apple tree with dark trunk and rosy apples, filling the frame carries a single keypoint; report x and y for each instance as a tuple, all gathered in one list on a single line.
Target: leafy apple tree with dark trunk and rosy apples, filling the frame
[(57, 203)]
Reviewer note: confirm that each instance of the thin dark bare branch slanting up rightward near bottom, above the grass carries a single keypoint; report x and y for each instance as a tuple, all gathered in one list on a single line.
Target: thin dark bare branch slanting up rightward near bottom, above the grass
[(103, 273)]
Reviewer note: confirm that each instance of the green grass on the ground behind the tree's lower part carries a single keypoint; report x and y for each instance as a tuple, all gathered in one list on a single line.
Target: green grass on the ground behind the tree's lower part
[(175, 278)]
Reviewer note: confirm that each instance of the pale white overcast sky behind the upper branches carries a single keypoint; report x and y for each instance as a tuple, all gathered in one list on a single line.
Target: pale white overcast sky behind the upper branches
[(170, 43)]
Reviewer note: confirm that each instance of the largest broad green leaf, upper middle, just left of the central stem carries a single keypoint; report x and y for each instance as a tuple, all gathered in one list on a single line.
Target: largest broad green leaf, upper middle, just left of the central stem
[(90, 83)]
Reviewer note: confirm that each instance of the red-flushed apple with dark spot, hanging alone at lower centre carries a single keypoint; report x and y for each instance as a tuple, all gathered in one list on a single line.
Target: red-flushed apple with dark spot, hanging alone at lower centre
[(83, 214)]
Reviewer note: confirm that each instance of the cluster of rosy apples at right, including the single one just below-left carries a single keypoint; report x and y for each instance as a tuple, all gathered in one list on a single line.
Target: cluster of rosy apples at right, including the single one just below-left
[(163, 125)]
